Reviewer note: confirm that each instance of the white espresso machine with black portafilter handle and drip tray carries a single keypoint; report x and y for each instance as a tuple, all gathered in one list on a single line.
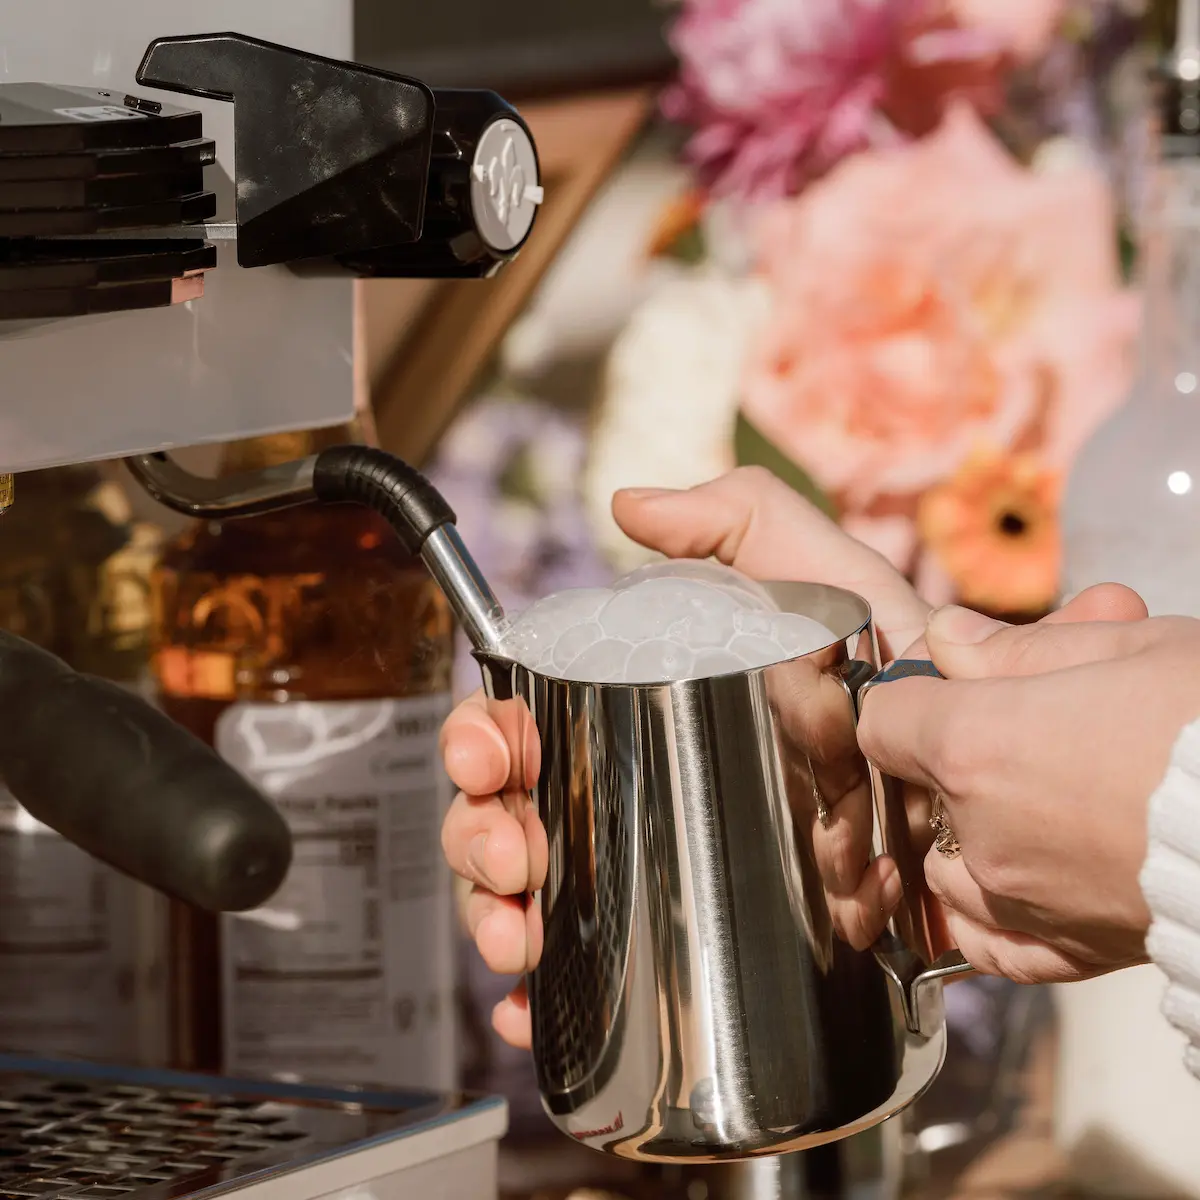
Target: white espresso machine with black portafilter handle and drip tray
[(183, 219)]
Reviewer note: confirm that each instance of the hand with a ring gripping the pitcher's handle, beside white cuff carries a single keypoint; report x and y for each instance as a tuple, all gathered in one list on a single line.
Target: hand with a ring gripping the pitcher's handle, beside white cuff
[(1046, 743)]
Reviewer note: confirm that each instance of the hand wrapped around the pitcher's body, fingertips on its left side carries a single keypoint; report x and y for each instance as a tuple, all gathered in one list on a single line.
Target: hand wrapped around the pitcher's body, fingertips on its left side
[(493, 837)]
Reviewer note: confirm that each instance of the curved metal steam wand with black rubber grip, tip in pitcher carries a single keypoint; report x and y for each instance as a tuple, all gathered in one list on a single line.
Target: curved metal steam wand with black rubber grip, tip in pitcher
[(401, 495)]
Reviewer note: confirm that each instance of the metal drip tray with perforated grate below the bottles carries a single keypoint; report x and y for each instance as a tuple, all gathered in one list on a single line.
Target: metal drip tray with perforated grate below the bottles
[(98, 1133)]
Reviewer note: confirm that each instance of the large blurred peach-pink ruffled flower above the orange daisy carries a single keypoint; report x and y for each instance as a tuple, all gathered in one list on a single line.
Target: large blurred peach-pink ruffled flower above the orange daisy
[(933, 298)]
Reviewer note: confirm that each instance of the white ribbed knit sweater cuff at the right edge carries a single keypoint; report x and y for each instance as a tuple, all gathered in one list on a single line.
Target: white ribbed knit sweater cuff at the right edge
[(1171, 881)]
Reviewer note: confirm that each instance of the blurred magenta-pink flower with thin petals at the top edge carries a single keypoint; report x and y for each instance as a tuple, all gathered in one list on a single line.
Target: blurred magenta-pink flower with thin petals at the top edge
[(778, 92)]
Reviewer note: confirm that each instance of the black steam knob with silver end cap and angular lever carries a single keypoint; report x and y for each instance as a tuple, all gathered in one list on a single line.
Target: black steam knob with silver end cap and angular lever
[(369, 171)]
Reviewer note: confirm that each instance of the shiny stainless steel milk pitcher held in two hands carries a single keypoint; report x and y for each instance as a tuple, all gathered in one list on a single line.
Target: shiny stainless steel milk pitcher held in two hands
[(694, 1000)]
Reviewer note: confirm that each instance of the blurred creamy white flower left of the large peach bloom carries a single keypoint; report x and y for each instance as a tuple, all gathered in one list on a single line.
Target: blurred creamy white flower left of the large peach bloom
[(671, 394)]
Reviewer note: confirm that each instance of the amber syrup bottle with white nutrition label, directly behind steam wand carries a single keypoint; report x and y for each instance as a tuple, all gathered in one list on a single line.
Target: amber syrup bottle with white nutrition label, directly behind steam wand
[(316, 657)]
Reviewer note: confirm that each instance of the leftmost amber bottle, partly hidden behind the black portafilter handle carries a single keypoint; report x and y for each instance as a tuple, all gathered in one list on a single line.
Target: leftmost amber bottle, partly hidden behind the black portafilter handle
[(82, 947)]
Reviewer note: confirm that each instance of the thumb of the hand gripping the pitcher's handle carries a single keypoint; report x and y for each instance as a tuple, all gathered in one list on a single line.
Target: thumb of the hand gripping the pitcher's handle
[(967, 646)]
